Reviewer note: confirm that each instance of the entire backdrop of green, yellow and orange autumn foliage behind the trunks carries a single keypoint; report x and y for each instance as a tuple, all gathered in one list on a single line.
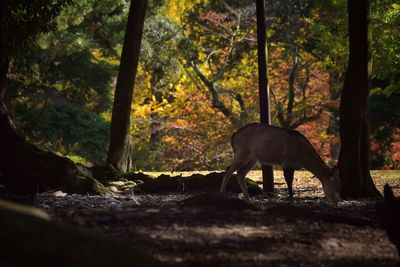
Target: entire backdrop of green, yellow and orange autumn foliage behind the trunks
[(197, 79)]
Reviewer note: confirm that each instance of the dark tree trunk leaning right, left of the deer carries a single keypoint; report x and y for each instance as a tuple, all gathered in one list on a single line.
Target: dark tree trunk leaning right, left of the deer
[(119, 150)]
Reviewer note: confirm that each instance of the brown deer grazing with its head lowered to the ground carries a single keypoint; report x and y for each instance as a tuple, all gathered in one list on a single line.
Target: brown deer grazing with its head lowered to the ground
[(271, 145)]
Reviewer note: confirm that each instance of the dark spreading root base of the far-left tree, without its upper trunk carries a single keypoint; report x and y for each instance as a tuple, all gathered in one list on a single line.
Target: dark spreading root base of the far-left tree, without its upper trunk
[(26, 169)]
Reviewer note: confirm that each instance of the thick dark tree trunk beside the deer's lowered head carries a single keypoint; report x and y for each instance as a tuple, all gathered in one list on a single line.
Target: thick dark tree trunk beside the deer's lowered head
[(354, 130)]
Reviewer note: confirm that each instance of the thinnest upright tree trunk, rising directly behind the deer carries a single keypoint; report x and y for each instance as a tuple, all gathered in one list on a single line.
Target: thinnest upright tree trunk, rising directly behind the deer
[(263, 85)]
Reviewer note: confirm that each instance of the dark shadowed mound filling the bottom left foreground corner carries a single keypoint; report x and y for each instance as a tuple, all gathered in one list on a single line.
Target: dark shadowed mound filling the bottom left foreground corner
[(29, 240)]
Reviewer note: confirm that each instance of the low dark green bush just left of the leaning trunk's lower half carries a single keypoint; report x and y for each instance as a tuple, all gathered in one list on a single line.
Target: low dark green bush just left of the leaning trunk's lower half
[(66, 129)]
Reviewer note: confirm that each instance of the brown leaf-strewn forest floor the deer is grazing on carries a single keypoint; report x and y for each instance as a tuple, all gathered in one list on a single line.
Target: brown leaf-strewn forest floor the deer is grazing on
[(304, 232)]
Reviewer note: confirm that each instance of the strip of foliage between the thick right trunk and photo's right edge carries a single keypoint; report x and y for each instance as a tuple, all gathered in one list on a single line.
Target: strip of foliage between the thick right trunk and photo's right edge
[(385, 114)]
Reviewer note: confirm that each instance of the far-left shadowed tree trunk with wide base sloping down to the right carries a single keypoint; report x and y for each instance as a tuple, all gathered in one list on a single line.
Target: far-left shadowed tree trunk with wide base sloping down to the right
[(24, 168)]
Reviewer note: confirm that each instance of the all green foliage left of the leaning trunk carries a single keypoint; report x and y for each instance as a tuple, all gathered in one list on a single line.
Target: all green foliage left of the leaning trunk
[(66, 74)]
